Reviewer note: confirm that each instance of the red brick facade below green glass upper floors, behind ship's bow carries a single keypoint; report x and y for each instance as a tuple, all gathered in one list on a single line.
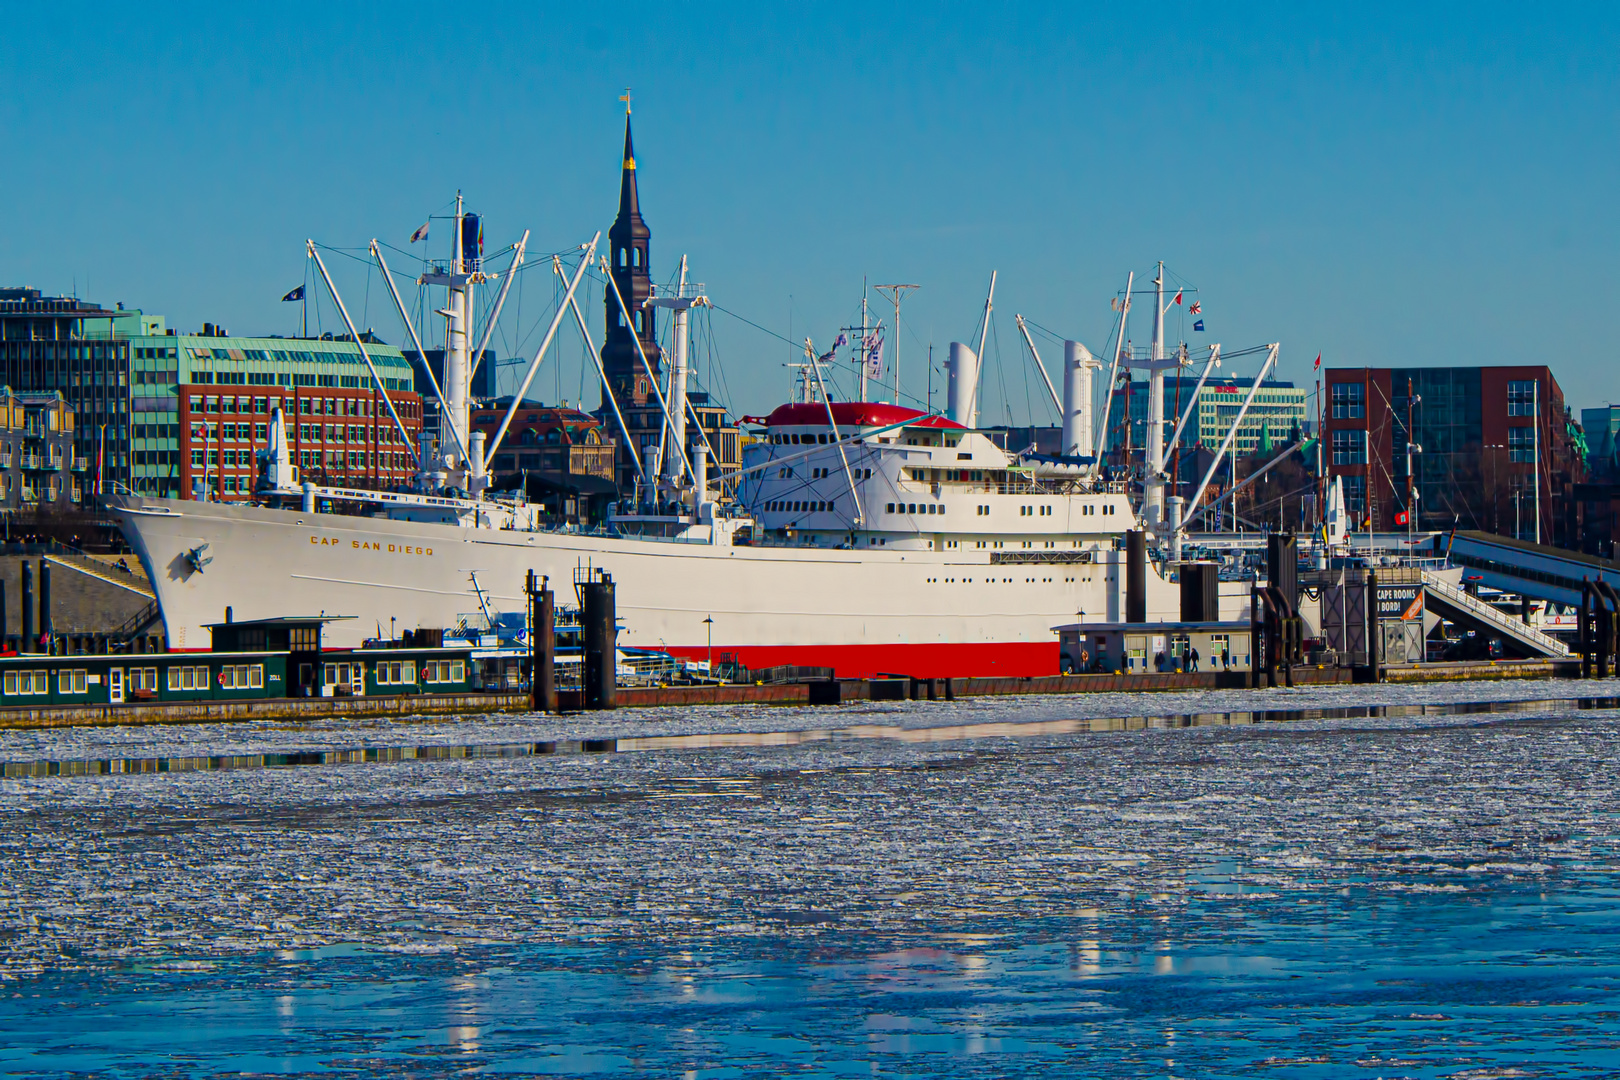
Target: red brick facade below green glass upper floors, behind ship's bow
[(338, 436)]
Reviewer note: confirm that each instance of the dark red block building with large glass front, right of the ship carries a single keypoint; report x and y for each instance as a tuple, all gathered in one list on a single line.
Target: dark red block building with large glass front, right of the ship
[(1485, 444)]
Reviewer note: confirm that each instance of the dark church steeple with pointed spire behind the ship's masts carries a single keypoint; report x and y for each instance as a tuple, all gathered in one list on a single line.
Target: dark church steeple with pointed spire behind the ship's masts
[(628, 244)]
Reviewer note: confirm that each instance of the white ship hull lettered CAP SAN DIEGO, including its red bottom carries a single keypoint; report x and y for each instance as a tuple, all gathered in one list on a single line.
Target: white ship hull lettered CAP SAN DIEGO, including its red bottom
[(861, 611)]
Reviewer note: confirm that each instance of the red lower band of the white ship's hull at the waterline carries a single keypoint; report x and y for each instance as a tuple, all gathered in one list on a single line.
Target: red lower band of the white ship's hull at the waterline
[(919, 661)]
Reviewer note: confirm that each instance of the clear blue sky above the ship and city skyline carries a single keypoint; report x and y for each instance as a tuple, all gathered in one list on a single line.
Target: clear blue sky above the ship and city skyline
[(1384, 185)]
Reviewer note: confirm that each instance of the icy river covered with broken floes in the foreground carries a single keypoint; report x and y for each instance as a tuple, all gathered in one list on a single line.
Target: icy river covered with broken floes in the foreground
[(1388, 885)]
